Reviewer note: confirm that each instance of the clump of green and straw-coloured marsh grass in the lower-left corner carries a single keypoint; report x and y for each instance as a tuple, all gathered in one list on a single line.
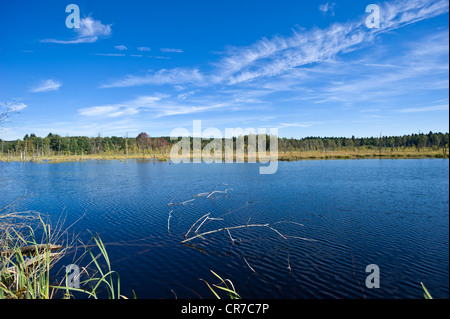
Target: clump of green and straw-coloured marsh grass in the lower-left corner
[(31, 253)]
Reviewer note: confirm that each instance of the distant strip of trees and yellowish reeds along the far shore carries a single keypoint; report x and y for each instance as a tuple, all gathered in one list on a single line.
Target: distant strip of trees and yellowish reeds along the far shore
[(54, 144)]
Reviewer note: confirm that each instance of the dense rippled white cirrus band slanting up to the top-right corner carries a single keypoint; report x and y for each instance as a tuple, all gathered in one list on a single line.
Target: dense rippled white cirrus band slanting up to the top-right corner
[(272, 57)]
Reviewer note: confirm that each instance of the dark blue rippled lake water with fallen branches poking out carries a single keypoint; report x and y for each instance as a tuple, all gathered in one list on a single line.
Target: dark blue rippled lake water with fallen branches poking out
[(392, 213)]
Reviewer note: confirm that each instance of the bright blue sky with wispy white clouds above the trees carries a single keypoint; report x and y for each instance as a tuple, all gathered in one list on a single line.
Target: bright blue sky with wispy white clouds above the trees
[(308, 68)]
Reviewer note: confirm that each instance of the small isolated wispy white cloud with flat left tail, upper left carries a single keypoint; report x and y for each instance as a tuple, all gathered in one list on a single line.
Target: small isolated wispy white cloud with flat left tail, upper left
[(90, 31)]
